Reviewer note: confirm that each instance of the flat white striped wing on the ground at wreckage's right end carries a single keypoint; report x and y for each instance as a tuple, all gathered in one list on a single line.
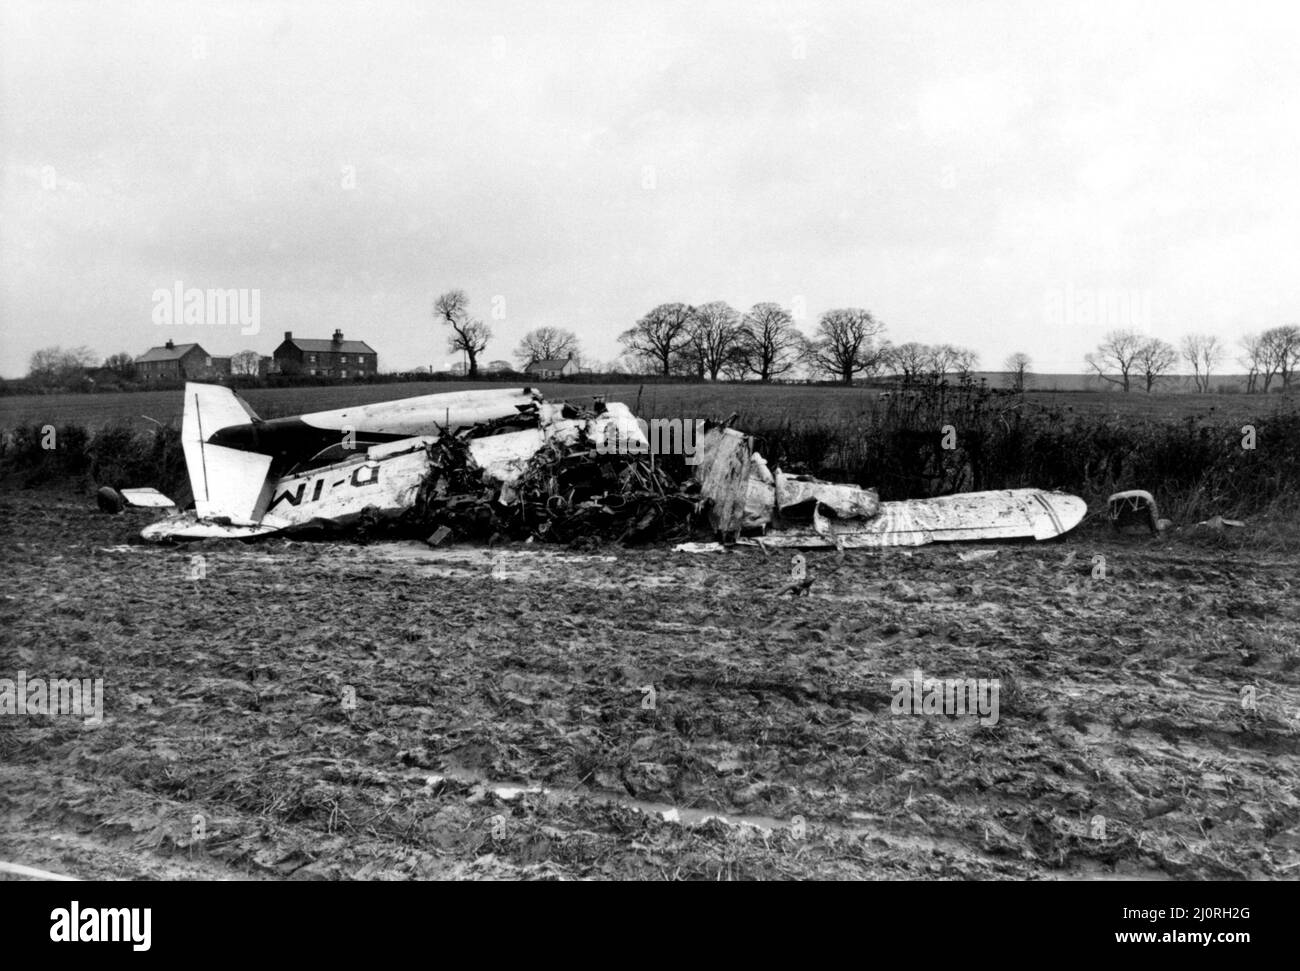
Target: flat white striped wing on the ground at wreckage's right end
[(996, 515)]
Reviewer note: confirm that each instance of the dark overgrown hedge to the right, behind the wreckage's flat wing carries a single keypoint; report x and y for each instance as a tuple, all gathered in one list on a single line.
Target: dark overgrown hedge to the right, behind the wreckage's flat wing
[(1002, 441)]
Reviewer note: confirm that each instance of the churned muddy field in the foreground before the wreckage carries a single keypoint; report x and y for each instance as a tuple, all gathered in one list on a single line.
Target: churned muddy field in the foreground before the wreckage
[(294, 710)]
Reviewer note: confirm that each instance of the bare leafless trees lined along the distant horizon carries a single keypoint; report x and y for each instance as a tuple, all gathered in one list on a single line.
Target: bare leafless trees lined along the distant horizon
[(716, 341)]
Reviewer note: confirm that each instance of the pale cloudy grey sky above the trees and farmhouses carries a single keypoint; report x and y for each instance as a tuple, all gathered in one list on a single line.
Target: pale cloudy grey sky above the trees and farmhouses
[(965, 171)]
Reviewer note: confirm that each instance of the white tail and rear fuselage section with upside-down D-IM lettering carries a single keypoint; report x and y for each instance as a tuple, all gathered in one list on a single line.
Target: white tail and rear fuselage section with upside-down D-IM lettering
[(253, 478)]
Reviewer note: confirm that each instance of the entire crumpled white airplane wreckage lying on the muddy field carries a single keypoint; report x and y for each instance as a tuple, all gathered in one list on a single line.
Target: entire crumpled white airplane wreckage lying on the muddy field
[(506, 463)]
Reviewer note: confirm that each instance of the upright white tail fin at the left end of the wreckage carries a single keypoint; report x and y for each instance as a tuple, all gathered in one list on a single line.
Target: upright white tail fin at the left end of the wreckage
[(227, 483)]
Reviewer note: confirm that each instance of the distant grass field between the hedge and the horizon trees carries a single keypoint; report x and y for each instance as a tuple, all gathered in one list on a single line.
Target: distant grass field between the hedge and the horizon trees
[(755, 404)]
